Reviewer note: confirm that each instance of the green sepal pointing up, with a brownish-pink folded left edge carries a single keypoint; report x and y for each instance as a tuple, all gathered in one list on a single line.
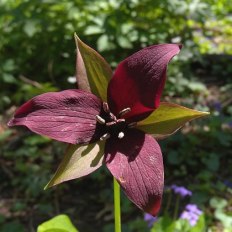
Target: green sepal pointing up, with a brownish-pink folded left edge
[(93, 72)]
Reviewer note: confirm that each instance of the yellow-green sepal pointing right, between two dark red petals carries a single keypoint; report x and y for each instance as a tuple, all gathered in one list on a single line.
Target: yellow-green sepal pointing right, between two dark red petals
[(167, 119)]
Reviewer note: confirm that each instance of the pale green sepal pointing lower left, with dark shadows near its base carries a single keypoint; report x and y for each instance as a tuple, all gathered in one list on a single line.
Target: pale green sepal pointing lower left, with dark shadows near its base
[(79, 160)]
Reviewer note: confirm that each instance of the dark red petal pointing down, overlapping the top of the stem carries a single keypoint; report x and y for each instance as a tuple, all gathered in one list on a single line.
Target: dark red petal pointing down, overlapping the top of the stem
[(136, 162)]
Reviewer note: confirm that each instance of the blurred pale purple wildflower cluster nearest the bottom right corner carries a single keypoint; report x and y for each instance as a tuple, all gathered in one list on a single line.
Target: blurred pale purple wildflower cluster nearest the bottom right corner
[(191, 213)]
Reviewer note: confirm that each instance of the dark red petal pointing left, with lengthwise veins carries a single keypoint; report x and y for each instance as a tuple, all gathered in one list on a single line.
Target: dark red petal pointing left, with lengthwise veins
[(67, 116)]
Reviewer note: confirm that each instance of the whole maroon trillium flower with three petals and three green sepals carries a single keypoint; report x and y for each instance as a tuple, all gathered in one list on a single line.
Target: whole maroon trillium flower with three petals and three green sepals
[(109, 127)]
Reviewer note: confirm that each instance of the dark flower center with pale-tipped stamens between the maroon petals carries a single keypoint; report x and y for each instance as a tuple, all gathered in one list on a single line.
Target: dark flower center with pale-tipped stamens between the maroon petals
[(113, 125)]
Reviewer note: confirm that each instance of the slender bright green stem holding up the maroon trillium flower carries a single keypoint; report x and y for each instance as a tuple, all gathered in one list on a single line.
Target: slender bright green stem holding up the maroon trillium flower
[(117, 210)]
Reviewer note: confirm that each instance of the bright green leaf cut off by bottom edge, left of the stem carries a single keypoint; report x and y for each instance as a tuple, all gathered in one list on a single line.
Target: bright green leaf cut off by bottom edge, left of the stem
[(60, 223)]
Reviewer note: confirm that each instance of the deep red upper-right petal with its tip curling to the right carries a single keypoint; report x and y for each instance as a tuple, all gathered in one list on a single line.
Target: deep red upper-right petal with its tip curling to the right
[(139, 80)]
